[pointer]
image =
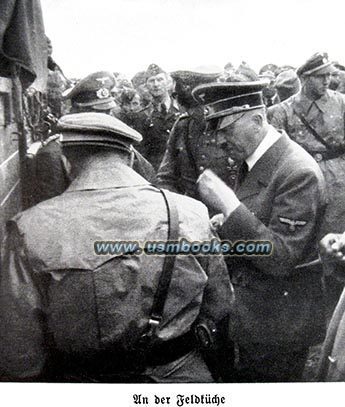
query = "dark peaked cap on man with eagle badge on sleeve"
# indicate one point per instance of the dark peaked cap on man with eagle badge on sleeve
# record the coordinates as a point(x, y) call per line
point(230, 98)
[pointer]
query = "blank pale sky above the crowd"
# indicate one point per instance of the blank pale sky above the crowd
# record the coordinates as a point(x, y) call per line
point(127, 35)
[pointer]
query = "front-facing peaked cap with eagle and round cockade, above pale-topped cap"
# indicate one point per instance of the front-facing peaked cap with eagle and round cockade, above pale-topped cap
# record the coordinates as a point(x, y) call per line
point(93, 91)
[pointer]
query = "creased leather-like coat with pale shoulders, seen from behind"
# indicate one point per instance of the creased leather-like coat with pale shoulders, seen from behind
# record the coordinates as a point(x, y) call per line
point(49, 252)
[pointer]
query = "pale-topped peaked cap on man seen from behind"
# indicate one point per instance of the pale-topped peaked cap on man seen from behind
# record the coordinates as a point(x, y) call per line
point(95, 128)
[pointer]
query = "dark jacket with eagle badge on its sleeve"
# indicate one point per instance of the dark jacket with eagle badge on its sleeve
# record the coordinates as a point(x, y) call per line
point(282, 201)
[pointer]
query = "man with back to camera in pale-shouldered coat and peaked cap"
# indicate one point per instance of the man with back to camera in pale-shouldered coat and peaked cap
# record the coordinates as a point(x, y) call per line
point(68, 305)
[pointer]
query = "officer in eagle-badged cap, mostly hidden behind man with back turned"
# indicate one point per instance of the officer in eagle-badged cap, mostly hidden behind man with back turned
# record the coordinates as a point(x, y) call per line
point(91, 94)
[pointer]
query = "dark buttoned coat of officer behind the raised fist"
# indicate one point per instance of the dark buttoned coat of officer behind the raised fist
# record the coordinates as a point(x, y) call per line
point(190, 150)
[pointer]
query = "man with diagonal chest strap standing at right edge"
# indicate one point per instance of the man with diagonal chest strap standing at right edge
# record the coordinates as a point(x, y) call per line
point(315, 119)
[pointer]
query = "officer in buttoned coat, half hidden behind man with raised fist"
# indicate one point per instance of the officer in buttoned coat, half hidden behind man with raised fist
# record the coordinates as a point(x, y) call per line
point(191, 148)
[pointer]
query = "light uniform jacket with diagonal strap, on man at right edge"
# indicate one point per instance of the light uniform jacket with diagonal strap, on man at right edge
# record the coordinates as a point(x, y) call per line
point(327, 117)
